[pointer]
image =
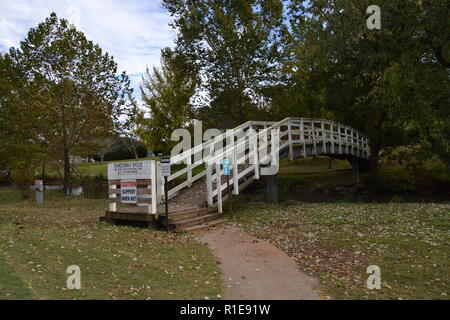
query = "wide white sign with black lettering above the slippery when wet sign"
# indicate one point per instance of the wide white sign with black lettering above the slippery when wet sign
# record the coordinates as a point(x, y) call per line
point(129, 170)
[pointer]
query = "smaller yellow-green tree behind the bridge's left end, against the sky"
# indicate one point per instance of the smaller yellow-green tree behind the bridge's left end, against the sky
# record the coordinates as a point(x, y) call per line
point(166, 95)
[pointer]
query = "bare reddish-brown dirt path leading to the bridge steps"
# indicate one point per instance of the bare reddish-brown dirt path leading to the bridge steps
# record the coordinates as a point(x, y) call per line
point(254, 269)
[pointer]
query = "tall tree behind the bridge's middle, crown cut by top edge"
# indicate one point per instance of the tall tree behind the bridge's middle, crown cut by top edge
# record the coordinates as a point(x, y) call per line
point(235, 48)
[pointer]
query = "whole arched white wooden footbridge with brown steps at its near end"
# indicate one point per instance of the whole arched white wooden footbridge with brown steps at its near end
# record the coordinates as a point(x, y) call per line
point(197, 192)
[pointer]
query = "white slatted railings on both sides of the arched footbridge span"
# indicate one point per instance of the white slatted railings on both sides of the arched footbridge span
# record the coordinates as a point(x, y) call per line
point(254, 148)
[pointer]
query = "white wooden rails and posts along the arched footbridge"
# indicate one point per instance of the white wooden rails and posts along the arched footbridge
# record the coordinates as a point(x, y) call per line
point(308, 134)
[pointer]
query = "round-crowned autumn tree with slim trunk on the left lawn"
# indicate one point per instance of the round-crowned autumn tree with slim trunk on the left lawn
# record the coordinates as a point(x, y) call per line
point(80, 95)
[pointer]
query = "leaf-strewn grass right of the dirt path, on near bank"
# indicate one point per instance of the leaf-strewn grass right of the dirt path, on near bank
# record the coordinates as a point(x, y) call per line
point(336, 242)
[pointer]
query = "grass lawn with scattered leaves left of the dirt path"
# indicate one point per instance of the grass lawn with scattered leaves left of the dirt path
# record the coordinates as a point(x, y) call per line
point(38, 243)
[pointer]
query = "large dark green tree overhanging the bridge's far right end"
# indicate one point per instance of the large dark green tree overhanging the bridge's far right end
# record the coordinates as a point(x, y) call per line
point(391, 83)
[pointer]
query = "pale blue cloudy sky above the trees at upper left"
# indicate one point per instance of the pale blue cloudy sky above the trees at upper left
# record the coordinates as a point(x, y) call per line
point(133, 31)
